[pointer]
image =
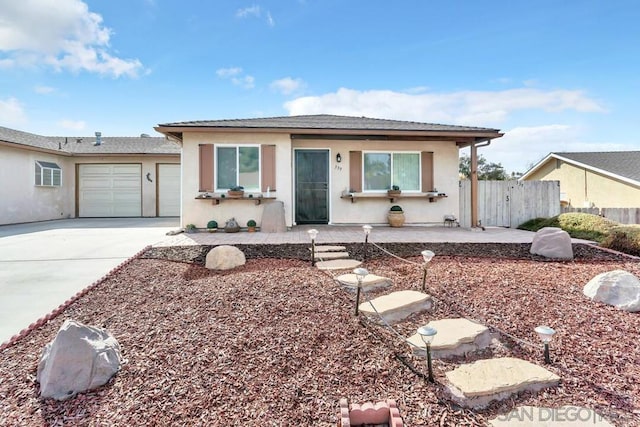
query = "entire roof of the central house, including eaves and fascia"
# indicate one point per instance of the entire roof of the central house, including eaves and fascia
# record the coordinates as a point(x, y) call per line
point(326, 124)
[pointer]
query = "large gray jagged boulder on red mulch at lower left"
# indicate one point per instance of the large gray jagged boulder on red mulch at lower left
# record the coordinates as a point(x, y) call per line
point(79, 358)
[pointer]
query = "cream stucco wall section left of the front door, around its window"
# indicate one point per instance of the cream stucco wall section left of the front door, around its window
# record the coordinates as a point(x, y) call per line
point(199, 212)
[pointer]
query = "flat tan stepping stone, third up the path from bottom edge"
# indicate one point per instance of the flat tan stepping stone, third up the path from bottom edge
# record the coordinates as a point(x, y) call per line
point(455, 337)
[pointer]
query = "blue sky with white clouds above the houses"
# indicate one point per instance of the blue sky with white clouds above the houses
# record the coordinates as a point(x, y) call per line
point(553, 75)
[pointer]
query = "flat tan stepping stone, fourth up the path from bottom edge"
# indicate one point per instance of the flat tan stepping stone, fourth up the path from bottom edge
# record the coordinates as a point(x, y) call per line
point(396, 306)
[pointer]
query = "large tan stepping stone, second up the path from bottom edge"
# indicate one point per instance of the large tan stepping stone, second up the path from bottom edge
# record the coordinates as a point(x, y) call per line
point(476, 384)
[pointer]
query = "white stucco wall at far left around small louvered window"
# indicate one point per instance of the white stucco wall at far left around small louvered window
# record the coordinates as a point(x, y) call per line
point(21, 200)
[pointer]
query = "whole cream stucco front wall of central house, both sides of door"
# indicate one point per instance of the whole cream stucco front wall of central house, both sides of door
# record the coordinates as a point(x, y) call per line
point(374, 211)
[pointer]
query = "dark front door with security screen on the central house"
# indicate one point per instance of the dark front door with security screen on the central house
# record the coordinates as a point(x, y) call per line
point(312, 186)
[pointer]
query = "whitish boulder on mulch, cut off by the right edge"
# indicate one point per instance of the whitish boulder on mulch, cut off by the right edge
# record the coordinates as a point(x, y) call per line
point(618, 288)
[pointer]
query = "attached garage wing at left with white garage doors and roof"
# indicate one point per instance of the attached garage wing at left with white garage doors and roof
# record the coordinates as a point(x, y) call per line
point(48, 178)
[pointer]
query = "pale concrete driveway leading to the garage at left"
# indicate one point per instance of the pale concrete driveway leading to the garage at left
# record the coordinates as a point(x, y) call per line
point(45, 263)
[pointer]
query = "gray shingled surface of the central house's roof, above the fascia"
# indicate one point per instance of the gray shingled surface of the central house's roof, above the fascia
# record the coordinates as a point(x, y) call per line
point(326, 121)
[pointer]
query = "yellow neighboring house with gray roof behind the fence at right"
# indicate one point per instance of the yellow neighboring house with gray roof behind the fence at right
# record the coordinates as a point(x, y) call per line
point(592, 179)
